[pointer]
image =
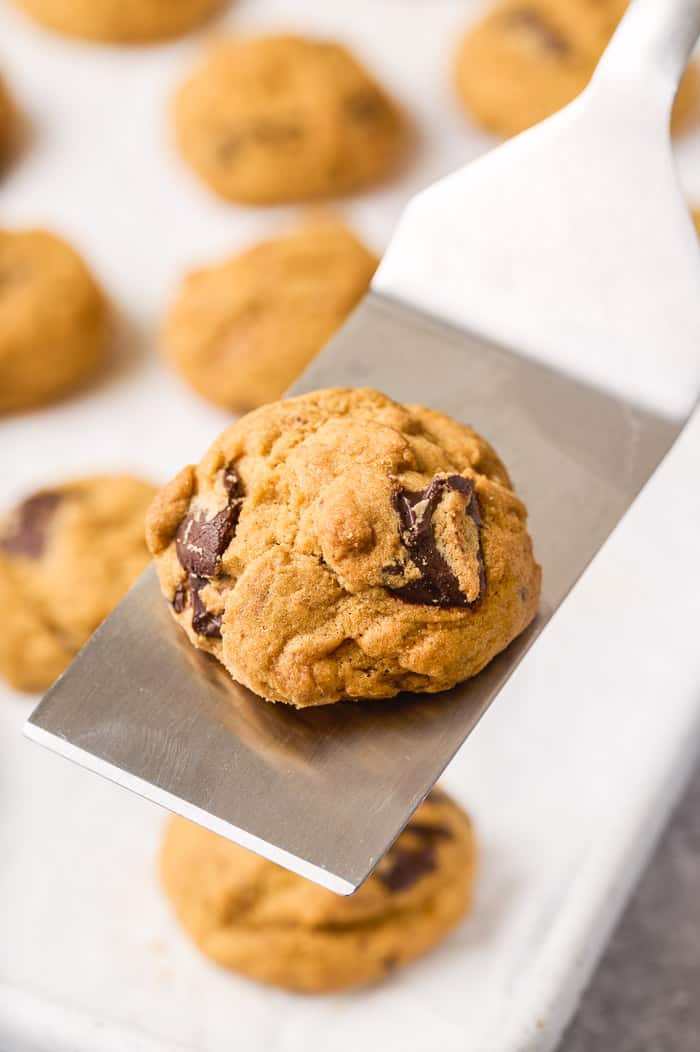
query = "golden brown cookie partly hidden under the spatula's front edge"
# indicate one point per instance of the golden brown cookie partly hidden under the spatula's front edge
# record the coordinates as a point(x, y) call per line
point(253, 918)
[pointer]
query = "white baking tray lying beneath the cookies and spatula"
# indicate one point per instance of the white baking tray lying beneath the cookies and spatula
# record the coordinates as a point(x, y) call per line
point(570, 777)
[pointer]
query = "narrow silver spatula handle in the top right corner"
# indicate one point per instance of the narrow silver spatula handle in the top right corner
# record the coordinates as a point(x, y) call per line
point(653, 45)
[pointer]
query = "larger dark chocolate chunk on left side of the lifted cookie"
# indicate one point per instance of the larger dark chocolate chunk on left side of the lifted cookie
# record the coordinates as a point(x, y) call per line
point(199, 541)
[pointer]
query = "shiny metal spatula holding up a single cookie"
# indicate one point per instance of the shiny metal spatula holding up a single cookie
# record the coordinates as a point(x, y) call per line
point(550, 296)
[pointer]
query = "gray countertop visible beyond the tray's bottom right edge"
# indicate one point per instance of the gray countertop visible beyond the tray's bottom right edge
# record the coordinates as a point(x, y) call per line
point(646, 996)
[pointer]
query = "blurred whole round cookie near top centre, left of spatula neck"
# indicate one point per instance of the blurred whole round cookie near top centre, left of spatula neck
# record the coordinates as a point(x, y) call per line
point(285, 118)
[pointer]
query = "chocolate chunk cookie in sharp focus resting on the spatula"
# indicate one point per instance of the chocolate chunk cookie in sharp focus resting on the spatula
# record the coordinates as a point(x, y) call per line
point(339, 545)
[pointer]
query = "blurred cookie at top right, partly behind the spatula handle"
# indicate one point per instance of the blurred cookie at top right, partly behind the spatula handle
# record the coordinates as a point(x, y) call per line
point(528, 59)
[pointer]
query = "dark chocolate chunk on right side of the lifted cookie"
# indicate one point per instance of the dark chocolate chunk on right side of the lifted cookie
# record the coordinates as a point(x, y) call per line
point(437, 585)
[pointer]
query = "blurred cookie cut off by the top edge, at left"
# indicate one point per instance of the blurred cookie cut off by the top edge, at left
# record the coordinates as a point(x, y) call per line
point(122, 22)
